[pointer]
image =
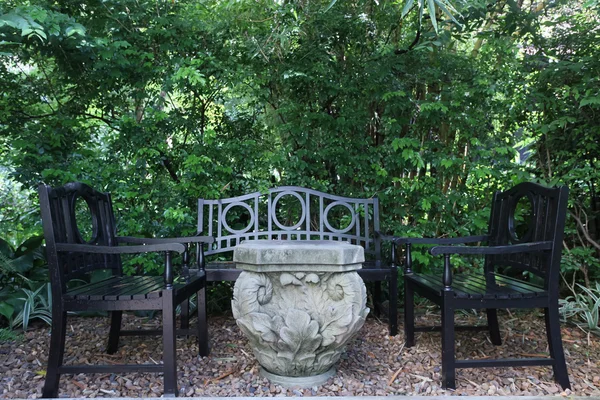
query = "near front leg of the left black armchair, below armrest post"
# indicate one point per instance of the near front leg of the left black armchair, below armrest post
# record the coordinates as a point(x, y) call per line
point(169, 344)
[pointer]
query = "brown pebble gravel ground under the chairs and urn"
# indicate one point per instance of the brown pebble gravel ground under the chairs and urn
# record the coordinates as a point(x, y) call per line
point(374, 364)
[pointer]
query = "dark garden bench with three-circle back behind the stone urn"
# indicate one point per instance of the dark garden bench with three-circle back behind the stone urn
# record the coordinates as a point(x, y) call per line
point(295, 213)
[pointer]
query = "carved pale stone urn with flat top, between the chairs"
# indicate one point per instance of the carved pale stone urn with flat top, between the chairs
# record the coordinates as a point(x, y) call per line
point(299, 303)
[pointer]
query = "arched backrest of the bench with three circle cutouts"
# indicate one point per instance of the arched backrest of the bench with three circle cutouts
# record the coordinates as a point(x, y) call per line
point(290, 213)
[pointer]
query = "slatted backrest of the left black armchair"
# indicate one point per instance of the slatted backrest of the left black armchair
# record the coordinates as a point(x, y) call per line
point(59, 218)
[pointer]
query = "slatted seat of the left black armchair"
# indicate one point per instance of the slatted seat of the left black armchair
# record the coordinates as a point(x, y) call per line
point(123, 288)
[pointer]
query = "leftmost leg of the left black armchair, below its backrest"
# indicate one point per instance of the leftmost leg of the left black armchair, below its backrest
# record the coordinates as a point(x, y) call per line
point(57, 351)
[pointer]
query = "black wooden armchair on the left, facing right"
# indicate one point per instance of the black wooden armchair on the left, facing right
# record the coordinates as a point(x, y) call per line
point(71, 257)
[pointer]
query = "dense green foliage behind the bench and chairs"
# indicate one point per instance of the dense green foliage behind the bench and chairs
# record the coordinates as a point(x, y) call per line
point(163, 103)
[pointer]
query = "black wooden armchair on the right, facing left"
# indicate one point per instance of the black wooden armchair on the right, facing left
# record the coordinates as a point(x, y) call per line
point(530, 244)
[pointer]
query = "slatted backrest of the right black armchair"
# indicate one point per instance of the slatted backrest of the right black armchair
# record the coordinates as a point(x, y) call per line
point(544, 221)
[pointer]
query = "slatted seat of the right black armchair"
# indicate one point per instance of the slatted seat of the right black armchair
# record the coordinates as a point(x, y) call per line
point(474, 287)
